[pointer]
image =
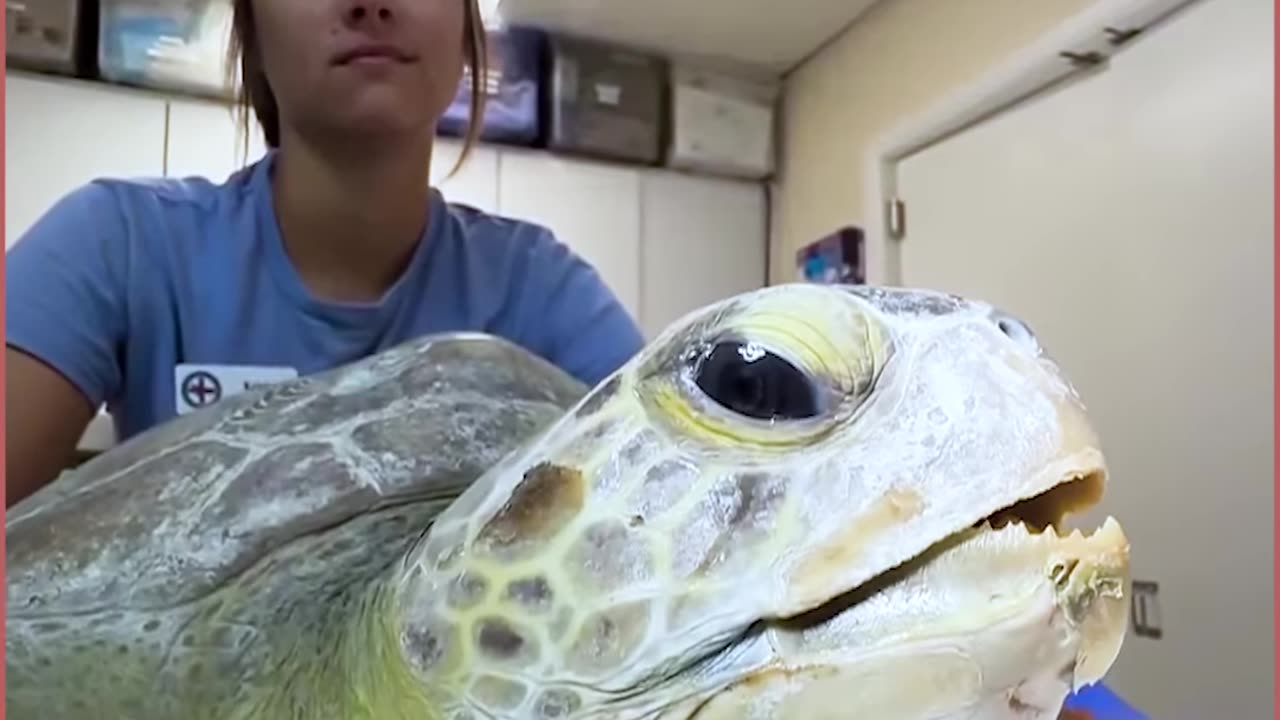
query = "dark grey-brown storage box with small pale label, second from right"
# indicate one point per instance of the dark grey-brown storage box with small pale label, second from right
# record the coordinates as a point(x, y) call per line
point(606, 102)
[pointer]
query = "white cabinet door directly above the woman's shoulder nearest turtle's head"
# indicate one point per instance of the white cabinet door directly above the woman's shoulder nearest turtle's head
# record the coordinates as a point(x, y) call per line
point(592, 208)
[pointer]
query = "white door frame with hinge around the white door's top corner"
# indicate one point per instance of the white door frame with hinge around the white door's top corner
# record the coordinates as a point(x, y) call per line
point(1039, 69)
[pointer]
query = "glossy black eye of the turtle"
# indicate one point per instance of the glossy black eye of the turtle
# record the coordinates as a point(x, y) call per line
point(757, 384)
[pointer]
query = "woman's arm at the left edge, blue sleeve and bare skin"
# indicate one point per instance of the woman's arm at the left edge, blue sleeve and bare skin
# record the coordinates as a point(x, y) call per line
point(66, 289)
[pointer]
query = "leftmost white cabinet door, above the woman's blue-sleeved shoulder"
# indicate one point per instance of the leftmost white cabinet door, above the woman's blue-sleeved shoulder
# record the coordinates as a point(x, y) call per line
point(62, 134)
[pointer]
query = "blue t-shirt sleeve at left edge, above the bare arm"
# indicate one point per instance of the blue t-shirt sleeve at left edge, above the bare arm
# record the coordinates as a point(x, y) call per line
point(66, 291)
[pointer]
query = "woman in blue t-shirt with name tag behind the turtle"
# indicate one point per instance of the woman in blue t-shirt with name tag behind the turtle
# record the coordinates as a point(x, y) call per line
point(332, 248)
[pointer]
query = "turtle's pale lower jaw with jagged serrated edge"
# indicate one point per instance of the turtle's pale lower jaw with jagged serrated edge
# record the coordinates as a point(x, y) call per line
point(990, 623)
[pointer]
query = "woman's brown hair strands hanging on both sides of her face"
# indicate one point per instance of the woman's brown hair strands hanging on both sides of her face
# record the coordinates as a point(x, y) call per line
point(255, 98)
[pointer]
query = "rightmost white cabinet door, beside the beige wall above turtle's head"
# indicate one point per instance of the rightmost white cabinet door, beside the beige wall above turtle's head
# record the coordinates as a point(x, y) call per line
point(705, 240)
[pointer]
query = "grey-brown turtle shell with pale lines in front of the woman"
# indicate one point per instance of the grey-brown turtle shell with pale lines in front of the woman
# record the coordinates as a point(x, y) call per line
point(331, 476)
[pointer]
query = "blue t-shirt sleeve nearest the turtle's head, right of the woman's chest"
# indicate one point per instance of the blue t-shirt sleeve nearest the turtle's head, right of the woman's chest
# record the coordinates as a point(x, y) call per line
point(574, 318)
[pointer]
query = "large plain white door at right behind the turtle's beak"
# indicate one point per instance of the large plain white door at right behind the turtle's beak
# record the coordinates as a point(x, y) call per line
point(1130, 220)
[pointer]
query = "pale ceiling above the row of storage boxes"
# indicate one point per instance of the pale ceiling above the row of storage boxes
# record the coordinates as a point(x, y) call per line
point(770, 35)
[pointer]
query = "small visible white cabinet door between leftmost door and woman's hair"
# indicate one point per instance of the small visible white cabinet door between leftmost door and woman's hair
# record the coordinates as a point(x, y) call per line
point(205, 140)
